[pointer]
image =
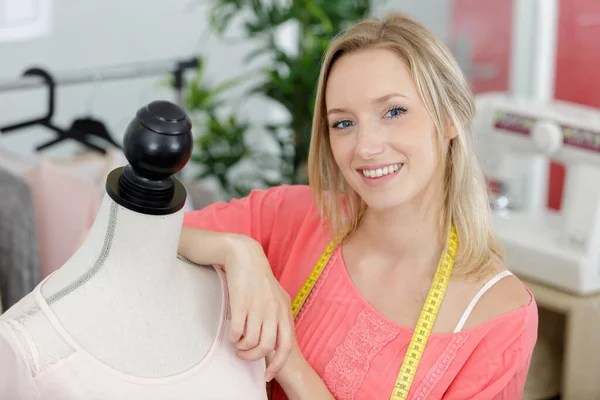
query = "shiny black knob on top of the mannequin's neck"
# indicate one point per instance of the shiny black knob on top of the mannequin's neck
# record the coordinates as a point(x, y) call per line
point(157, 144)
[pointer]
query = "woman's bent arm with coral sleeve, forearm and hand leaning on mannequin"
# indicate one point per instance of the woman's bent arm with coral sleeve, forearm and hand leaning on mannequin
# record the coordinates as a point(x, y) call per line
point(237, 236)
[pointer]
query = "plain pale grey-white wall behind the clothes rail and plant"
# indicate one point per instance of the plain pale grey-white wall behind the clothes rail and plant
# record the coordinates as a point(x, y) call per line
point(95, 33)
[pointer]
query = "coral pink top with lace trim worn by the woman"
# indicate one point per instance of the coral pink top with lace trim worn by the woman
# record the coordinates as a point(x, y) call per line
point(354, 349)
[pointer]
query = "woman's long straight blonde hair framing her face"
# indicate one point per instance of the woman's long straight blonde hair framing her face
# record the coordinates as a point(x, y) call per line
point(449, 101)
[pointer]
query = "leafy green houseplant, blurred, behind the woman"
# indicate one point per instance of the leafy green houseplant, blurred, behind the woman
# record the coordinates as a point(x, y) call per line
point(222, 144)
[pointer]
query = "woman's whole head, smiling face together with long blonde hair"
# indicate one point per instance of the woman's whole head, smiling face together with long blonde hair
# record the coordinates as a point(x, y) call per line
point(369, 114)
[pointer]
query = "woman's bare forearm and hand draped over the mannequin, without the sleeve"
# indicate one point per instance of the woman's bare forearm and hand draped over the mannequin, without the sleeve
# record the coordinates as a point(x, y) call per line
point(261, 319)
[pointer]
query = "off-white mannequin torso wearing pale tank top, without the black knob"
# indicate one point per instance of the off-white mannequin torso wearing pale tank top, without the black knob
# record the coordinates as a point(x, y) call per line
point(125, 315)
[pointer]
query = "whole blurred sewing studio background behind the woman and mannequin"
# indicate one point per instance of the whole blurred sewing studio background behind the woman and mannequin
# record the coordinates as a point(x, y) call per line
point(74, 73)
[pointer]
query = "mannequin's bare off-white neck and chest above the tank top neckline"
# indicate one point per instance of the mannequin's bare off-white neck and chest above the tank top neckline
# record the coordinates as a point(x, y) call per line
point(142, 311)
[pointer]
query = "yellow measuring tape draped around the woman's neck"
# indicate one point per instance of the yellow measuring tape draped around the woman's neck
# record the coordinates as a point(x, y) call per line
point(426, 318)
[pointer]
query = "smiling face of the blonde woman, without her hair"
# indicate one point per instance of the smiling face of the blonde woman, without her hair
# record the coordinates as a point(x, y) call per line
point(381, 134)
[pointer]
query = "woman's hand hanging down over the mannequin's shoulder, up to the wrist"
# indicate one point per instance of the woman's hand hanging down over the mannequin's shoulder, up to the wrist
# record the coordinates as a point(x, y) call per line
point(261, 320)
